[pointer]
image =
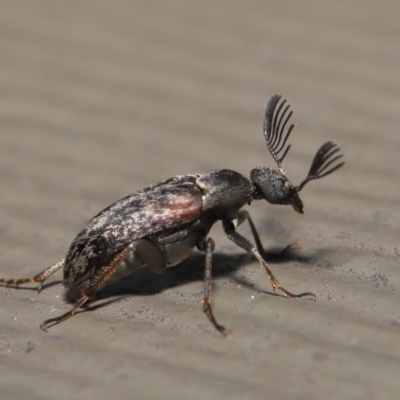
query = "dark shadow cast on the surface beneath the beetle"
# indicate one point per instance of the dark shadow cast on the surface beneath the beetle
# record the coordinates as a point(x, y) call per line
point(144, 282)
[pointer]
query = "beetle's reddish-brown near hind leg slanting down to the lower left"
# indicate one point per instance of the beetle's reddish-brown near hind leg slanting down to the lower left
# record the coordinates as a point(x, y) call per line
point(89, 294)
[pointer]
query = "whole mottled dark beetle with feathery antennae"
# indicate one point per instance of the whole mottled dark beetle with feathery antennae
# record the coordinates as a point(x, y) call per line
point(159, 226)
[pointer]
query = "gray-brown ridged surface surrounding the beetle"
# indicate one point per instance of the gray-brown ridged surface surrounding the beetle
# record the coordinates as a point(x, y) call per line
point(99, 99)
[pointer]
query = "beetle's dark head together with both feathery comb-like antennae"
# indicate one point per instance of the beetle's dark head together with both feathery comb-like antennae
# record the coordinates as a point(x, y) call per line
point(272, 184)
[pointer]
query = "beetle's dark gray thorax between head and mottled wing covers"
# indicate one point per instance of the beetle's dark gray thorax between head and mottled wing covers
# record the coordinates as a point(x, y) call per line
point(225, 193)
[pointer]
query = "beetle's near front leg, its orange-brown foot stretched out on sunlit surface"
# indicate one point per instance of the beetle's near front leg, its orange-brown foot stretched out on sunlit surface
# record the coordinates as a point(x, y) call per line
point(241, 241)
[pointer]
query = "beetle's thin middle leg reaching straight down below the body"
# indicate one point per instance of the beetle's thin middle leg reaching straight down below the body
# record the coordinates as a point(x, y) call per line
point(208, 247)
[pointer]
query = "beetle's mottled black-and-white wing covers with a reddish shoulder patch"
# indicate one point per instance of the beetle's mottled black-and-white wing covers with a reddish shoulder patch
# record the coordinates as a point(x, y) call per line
point(169, 205)
